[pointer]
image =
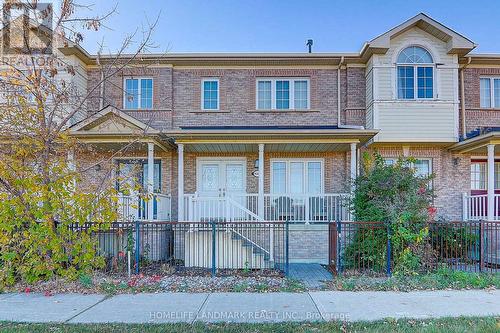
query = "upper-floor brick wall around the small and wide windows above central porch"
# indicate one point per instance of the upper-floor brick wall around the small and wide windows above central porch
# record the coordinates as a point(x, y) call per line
point(237, 98)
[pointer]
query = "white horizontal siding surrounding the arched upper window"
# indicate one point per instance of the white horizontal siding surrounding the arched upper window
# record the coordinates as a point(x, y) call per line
point(422, 120)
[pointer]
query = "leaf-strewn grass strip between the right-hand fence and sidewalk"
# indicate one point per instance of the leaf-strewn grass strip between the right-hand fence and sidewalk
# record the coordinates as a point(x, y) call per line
point(441, 279)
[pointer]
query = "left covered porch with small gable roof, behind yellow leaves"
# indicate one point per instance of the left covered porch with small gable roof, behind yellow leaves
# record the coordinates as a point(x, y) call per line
point(133, 157)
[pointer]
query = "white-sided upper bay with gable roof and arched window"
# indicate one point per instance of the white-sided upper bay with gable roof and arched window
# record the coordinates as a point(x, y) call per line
point(412, 82)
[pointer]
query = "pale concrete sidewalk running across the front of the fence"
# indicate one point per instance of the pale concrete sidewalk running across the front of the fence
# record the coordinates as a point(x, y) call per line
point(246, 307)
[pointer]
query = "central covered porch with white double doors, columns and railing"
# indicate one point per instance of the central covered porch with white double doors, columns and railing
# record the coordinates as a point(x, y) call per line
point(294, 174)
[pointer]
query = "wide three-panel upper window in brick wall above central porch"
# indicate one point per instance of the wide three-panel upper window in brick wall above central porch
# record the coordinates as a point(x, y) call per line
point(282, 94)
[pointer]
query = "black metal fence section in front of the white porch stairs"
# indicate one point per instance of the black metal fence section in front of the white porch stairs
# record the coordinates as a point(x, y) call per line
point(213, 247)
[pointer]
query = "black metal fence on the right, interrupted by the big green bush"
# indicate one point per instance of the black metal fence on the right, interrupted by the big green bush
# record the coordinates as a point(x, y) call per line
point(366, 248)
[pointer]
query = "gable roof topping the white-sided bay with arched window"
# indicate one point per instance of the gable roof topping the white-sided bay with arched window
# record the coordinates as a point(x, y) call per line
point(456, 43)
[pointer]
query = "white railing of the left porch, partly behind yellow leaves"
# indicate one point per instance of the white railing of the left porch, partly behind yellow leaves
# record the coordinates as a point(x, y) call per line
point(134, 208)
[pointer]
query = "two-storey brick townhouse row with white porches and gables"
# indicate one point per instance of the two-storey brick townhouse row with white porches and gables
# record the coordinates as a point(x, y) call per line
point(278, 136)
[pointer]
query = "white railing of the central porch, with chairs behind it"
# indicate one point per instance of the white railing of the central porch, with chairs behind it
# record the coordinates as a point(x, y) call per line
point(305, 208)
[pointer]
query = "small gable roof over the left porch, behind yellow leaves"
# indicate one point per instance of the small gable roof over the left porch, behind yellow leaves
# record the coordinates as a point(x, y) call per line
point(111, 121)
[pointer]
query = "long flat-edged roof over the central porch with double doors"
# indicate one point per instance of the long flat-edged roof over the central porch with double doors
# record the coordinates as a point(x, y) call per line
point(227, 139)
